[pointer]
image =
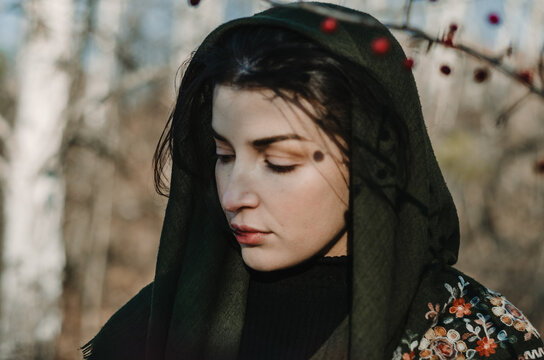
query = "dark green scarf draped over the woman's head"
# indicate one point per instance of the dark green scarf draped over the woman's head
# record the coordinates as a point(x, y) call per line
point(404, 229)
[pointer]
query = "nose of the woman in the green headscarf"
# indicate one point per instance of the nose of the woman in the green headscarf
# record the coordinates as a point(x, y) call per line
point(239, 192)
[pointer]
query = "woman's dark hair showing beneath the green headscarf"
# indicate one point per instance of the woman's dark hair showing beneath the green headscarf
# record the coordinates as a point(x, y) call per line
point(266, 57)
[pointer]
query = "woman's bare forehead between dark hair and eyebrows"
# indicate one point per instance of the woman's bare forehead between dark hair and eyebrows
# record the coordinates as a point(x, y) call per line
point(258, 112)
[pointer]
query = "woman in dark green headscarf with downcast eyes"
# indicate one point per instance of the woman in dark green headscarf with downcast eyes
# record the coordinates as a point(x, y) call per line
point(307, 215)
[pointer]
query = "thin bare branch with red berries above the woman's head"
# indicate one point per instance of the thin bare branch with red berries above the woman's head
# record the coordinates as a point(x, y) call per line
point(494, 62)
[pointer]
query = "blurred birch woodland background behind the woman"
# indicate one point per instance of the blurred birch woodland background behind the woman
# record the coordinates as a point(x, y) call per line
point(86, 87)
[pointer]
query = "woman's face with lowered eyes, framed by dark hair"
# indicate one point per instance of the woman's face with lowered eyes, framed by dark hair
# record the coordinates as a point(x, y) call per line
point(280, 179)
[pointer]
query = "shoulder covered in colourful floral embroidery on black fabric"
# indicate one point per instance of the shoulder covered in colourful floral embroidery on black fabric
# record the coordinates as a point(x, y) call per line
point(475, 323)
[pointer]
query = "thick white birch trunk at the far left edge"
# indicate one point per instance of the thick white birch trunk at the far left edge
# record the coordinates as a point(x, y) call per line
point(33, 254)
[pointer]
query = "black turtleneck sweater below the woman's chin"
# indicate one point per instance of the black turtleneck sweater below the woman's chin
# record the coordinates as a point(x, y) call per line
point(290, 313)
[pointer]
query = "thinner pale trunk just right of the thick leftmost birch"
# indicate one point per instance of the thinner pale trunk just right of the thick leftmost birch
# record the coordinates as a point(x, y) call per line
point(100, 122)
